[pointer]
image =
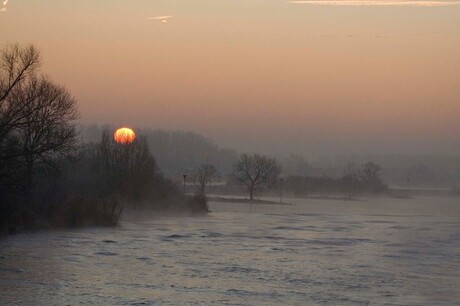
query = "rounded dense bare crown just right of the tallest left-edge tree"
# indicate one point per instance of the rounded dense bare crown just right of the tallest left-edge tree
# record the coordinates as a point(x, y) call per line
point(47, 131)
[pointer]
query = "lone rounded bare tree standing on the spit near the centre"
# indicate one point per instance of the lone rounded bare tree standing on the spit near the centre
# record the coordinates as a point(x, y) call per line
point(254, 171)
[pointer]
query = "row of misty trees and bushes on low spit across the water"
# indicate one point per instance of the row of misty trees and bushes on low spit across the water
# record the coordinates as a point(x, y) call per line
point(263, 174)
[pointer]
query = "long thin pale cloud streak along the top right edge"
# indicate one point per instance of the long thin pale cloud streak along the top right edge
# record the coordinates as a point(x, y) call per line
point(421, 3)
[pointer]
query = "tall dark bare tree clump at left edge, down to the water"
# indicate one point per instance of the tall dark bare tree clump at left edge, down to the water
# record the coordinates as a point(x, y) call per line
point(37, 129)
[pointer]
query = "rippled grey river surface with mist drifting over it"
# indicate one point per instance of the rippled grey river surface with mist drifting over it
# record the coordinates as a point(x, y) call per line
point(315, 252)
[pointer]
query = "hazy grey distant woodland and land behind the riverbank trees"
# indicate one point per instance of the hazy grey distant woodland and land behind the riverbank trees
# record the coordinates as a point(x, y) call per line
point(178, 152)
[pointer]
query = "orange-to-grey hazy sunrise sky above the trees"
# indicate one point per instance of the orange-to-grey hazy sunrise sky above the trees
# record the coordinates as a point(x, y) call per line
point(273, 76)
